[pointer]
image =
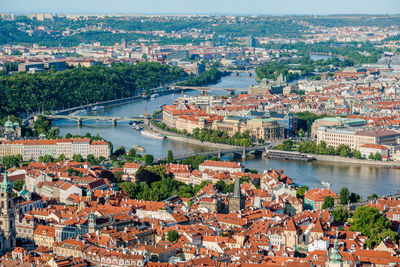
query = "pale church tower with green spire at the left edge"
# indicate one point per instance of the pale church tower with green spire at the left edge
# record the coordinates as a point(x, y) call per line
point(7, 216)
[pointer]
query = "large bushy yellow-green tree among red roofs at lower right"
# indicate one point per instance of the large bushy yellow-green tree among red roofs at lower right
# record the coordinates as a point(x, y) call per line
point(370, 222)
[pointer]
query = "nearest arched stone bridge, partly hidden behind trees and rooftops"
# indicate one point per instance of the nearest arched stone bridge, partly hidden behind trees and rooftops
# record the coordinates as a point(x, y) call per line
point(238, 151)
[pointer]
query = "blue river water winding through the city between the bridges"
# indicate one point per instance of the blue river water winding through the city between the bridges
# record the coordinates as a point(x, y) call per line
point(363, 180)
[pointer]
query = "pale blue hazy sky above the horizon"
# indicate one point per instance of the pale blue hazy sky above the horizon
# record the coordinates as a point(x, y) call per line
point(275, 7)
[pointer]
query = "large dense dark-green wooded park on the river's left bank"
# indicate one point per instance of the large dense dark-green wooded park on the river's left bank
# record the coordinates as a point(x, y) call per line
point(25, 93)
